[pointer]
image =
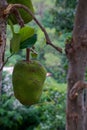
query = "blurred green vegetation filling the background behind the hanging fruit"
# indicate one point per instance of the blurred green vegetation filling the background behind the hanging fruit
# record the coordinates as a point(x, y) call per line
point(49, 114)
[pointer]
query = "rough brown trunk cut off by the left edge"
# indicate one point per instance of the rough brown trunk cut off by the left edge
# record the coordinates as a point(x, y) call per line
point(3, 5)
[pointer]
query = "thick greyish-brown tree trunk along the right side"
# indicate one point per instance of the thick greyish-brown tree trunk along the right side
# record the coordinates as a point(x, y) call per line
point(76, 52)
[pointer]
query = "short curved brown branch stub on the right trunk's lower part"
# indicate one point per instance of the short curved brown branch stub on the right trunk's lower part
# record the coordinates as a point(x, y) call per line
point(76, 89)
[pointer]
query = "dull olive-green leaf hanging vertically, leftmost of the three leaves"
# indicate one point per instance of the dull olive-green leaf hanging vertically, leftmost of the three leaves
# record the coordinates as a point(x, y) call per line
point(15, 43)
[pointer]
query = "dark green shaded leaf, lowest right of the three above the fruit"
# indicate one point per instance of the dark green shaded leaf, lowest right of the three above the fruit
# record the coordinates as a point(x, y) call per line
point(28, 43)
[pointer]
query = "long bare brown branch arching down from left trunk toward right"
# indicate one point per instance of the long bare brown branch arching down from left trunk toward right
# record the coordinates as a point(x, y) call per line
point(48, 41)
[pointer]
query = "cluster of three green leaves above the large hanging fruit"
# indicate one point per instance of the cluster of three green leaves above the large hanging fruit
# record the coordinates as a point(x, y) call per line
point(25, 38)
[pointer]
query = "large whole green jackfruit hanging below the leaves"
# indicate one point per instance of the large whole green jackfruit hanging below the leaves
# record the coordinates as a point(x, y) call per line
point(28, 79)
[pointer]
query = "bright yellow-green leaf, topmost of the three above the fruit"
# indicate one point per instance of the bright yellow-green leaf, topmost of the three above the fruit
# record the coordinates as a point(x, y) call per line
point(26, 32)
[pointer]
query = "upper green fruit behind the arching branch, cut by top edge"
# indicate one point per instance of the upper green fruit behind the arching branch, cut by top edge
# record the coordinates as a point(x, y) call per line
point(25, 16)
